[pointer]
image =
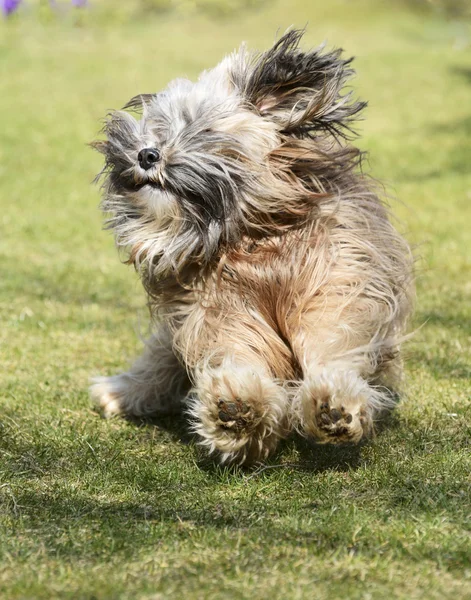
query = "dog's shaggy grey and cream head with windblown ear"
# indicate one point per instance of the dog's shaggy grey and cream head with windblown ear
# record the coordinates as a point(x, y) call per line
point(241, 152)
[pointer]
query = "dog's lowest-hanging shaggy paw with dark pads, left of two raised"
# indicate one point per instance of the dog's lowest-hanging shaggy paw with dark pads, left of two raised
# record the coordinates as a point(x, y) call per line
point(239, 411)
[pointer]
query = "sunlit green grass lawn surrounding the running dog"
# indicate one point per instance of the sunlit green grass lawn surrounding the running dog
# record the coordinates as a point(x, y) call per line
point(96, 509)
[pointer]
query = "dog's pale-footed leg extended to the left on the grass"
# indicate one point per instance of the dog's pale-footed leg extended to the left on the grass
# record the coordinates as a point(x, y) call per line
point(155, 384)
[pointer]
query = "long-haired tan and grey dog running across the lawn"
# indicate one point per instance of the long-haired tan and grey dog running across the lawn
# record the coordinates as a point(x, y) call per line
point(278, 288)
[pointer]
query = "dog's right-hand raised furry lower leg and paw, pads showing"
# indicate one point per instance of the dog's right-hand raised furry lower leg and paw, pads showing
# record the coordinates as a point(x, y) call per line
point(348, 380)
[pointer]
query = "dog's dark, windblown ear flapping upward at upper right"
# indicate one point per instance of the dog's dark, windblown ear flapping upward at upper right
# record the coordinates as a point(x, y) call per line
point(300, 90)
